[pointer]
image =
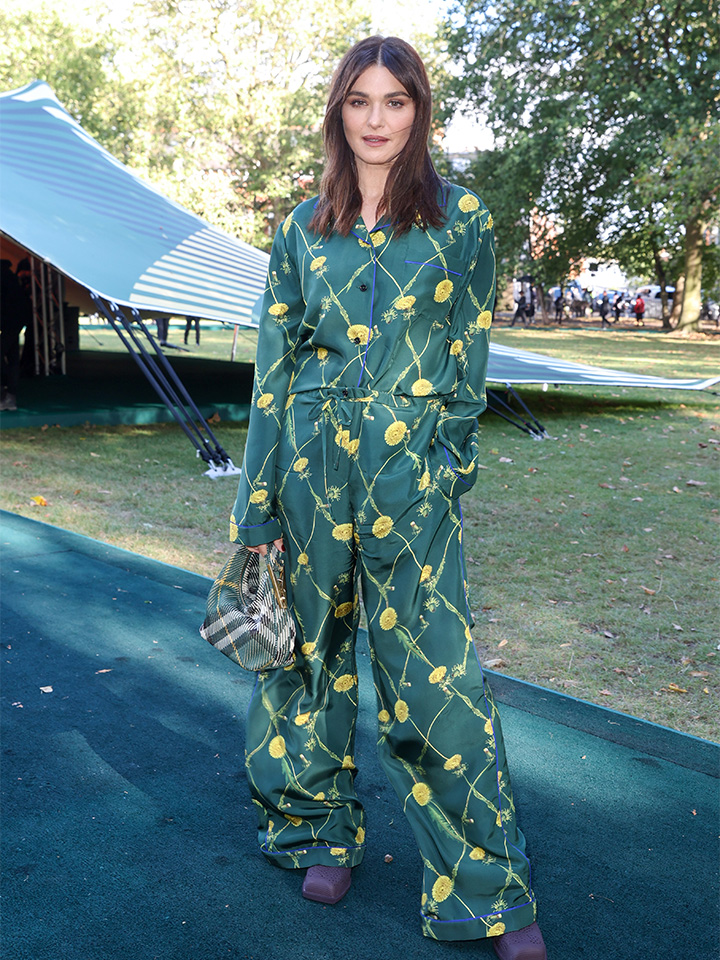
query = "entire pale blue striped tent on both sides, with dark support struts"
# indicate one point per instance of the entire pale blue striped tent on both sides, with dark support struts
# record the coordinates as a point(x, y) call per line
point(99, 230)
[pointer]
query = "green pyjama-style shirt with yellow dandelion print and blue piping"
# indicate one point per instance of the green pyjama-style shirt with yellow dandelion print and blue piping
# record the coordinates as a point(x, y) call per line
point(385, 314)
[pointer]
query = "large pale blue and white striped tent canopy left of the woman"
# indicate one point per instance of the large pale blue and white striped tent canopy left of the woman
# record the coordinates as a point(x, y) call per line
point(65, 199)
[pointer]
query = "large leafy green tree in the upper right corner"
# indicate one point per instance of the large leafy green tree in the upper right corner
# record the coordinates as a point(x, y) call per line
point(587, 98)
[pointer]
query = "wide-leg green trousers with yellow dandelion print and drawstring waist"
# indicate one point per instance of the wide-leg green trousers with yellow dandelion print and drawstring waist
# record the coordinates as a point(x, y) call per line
point(361, 511)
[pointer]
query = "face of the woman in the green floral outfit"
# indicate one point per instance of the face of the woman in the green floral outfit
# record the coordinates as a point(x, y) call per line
point(377, 115)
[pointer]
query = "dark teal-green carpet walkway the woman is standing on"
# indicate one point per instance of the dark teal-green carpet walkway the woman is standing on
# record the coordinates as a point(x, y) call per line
point(128, 833)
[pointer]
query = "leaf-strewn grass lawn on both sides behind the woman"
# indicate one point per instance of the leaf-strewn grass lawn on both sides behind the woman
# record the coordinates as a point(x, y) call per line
point(591, 556)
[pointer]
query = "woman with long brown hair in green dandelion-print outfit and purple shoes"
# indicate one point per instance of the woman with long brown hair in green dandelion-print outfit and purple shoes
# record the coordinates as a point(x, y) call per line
point(369, 380)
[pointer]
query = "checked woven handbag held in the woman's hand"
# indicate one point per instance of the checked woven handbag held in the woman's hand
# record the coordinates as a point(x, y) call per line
point(247, 616)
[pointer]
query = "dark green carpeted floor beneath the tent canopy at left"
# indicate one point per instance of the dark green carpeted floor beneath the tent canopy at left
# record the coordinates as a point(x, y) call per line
point(109, 388)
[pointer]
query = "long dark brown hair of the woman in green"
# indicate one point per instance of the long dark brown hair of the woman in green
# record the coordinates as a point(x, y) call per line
point(413, 184)
